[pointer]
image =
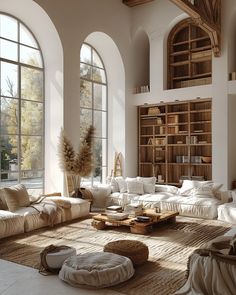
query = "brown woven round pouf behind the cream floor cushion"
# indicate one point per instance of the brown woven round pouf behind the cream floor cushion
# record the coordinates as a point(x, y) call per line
point(135, 250)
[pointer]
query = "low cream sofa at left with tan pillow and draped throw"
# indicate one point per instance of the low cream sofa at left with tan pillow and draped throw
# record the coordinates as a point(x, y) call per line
point(21, 213)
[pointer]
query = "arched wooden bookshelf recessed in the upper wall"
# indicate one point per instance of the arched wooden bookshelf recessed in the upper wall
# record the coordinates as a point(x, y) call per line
point(189, 56)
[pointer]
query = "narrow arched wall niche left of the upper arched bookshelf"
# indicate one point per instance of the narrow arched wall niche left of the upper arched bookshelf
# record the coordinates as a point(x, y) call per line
point(141, 61)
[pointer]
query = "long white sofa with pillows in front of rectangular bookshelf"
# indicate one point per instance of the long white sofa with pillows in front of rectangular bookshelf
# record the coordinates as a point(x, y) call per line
point(195, 198)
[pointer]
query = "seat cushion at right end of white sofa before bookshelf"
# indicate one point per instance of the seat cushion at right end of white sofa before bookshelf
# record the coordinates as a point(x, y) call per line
point(192, 206)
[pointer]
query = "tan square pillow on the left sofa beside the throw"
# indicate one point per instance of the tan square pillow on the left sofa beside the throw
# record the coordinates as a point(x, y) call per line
point(16, 196)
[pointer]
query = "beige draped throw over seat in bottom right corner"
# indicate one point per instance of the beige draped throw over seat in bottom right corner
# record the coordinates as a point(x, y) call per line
point(212, 269)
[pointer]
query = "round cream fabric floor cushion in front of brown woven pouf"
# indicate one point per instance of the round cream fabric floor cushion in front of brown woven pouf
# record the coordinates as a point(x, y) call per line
point(96, 270)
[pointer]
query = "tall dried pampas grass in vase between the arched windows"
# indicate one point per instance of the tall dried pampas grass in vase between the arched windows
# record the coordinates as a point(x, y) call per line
point(76, 164)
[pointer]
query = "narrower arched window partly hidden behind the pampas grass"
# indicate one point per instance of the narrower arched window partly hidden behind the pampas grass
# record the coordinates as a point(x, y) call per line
point(93, 107)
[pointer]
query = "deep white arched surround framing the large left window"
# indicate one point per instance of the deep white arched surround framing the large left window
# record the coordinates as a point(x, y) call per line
point(44, 30)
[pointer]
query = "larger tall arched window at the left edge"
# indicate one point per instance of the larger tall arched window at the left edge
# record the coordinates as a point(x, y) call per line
point(21, 106)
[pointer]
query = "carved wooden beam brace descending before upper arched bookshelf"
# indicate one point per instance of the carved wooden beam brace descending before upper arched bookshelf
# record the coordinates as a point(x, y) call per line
point(206, 14)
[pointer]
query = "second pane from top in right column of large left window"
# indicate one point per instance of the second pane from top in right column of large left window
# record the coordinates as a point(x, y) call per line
point(30, 56)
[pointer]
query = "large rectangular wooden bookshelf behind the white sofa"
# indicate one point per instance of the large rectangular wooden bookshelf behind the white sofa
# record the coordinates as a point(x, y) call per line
point(173, 142)
